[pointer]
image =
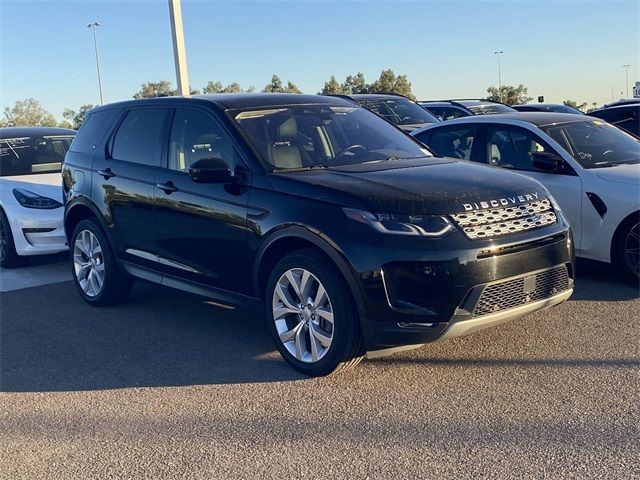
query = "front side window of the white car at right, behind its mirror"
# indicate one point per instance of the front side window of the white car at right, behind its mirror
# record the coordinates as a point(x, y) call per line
point(513, 148)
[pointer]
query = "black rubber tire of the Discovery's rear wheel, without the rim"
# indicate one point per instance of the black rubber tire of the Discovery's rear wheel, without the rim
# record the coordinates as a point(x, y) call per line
point(116, 284)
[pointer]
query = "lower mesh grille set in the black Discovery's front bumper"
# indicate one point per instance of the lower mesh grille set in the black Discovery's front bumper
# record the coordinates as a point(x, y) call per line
point(522, 290)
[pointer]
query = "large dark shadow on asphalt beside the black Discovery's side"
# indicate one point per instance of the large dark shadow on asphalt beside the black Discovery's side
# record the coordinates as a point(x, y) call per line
point(160, 337)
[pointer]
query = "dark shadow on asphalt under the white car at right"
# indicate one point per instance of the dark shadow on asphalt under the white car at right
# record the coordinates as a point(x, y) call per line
point(597, 281)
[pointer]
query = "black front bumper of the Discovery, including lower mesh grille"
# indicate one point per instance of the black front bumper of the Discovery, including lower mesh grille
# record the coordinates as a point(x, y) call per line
point(421, 295)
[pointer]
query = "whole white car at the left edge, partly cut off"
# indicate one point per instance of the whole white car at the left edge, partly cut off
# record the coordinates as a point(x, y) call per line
point(31, 213)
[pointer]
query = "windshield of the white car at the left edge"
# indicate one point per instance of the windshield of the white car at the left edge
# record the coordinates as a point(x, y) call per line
point(33, 155)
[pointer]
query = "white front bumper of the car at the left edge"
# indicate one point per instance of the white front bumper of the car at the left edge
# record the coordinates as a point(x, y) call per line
point(35, 231)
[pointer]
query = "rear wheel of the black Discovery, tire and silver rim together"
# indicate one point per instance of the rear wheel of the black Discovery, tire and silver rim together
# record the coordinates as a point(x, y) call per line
point(96, 273)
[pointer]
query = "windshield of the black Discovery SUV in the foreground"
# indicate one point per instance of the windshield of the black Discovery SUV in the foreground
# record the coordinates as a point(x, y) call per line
point(309, 136)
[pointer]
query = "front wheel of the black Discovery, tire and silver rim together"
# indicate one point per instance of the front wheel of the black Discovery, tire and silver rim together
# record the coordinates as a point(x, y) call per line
point(312, 316)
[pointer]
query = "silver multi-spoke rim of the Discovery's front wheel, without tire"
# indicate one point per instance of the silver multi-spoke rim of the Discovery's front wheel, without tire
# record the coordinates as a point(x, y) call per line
point(303, 315)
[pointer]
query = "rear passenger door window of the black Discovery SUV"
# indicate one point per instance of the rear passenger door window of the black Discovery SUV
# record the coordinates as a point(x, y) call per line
point(139, 137)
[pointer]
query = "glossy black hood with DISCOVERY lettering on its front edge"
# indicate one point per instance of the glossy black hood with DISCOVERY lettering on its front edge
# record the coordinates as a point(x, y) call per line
point(433, 186)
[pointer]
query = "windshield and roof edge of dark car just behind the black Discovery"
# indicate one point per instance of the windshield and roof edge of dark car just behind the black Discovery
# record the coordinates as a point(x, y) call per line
point(395, 109)
